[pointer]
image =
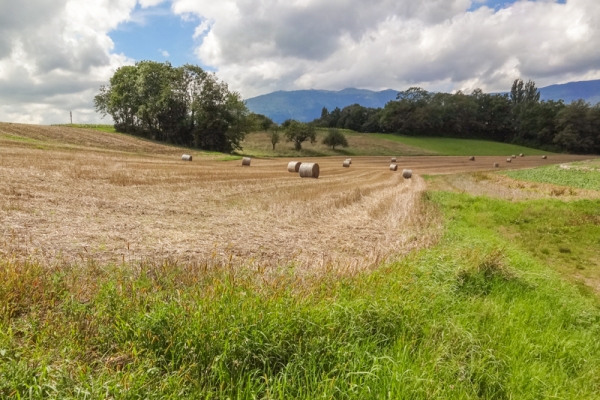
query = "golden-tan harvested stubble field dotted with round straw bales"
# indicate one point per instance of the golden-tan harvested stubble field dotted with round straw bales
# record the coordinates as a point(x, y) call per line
point(60, 204)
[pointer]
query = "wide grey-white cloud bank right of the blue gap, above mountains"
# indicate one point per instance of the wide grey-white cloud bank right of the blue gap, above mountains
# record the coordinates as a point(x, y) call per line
point(269, 45)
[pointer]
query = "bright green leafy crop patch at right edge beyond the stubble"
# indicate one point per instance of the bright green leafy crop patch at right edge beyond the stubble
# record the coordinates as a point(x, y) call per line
point(582, 175)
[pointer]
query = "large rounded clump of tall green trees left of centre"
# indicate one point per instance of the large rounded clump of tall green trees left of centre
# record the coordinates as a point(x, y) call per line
point(183, 105)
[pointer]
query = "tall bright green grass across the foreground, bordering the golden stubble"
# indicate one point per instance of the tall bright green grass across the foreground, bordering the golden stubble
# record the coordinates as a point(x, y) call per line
point(477, 316)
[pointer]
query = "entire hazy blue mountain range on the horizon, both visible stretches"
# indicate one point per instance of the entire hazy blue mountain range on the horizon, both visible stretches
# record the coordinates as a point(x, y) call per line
point(306, 105)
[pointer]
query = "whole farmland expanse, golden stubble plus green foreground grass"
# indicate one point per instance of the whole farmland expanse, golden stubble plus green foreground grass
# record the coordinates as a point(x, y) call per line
point(126, 272)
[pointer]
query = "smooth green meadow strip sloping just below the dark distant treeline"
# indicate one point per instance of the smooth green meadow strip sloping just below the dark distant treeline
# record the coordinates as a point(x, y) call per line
point(459, 147)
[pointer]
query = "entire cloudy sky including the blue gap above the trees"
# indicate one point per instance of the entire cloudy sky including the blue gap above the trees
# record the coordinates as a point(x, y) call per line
point(55, 54)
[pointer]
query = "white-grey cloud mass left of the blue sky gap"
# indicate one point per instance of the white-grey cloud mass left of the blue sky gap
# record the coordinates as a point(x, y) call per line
point(54, 55)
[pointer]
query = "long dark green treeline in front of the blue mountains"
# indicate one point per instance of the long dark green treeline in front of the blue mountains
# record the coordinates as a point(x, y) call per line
point(518, 117)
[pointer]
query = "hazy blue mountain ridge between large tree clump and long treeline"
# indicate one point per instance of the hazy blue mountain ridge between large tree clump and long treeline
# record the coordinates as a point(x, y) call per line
point(306, 105)
